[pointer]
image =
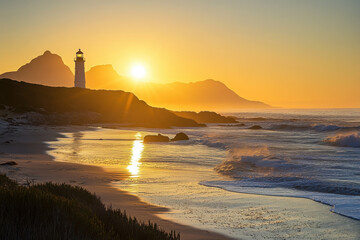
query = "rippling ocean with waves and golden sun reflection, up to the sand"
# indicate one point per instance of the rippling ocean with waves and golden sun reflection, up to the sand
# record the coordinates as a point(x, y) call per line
point(243, 182)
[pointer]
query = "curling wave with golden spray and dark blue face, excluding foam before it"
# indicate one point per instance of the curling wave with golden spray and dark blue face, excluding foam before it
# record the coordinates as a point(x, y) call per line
point(258, 167)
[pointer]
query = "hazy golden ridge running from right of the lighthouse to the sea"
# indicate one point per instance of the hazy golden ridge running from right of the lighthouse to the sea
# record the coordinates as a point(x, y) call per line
point(203, 95)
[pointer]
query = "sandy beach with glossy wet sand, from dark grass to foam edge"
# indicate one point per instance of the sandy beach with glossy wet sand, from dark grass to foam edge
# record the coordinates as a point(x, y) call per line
point(196, 211)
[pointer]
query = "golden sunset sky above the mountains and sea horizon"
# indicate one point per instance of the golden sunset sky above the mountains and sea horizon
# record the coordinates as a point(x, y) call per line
point(287, 53)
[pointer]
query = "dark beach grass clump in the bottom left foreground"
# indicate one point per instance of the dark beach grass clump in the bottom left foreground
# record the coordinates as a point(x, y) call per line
point(62, 211)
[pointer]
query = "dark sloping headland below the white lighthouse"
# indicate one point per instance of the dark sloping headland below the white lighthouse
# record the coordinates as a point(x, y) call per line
point(62, 105)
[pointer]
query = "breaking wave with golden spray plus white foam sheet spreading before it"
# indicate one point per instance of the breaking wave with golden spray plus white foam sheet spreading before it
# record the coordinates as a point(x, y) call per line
point(259, 171)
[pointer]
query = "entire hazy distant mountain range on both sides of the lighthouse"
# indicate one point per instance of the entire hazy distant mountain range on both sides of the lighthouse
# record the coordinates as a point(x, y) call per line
point(49, 69)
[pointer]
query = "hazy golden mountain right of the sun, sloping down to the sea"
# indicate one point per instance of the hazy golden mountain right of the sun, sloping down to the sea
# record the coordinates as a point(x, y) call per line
point(203, 95)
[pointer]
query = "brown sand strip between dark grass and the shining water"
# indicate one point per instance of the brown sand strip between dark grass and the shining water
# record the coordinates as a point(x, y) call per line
point(26, 145)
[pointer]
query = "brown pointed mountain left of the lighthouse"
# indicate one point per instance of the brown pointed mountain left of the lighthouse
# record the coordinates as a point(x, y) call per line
point(47, 69)
